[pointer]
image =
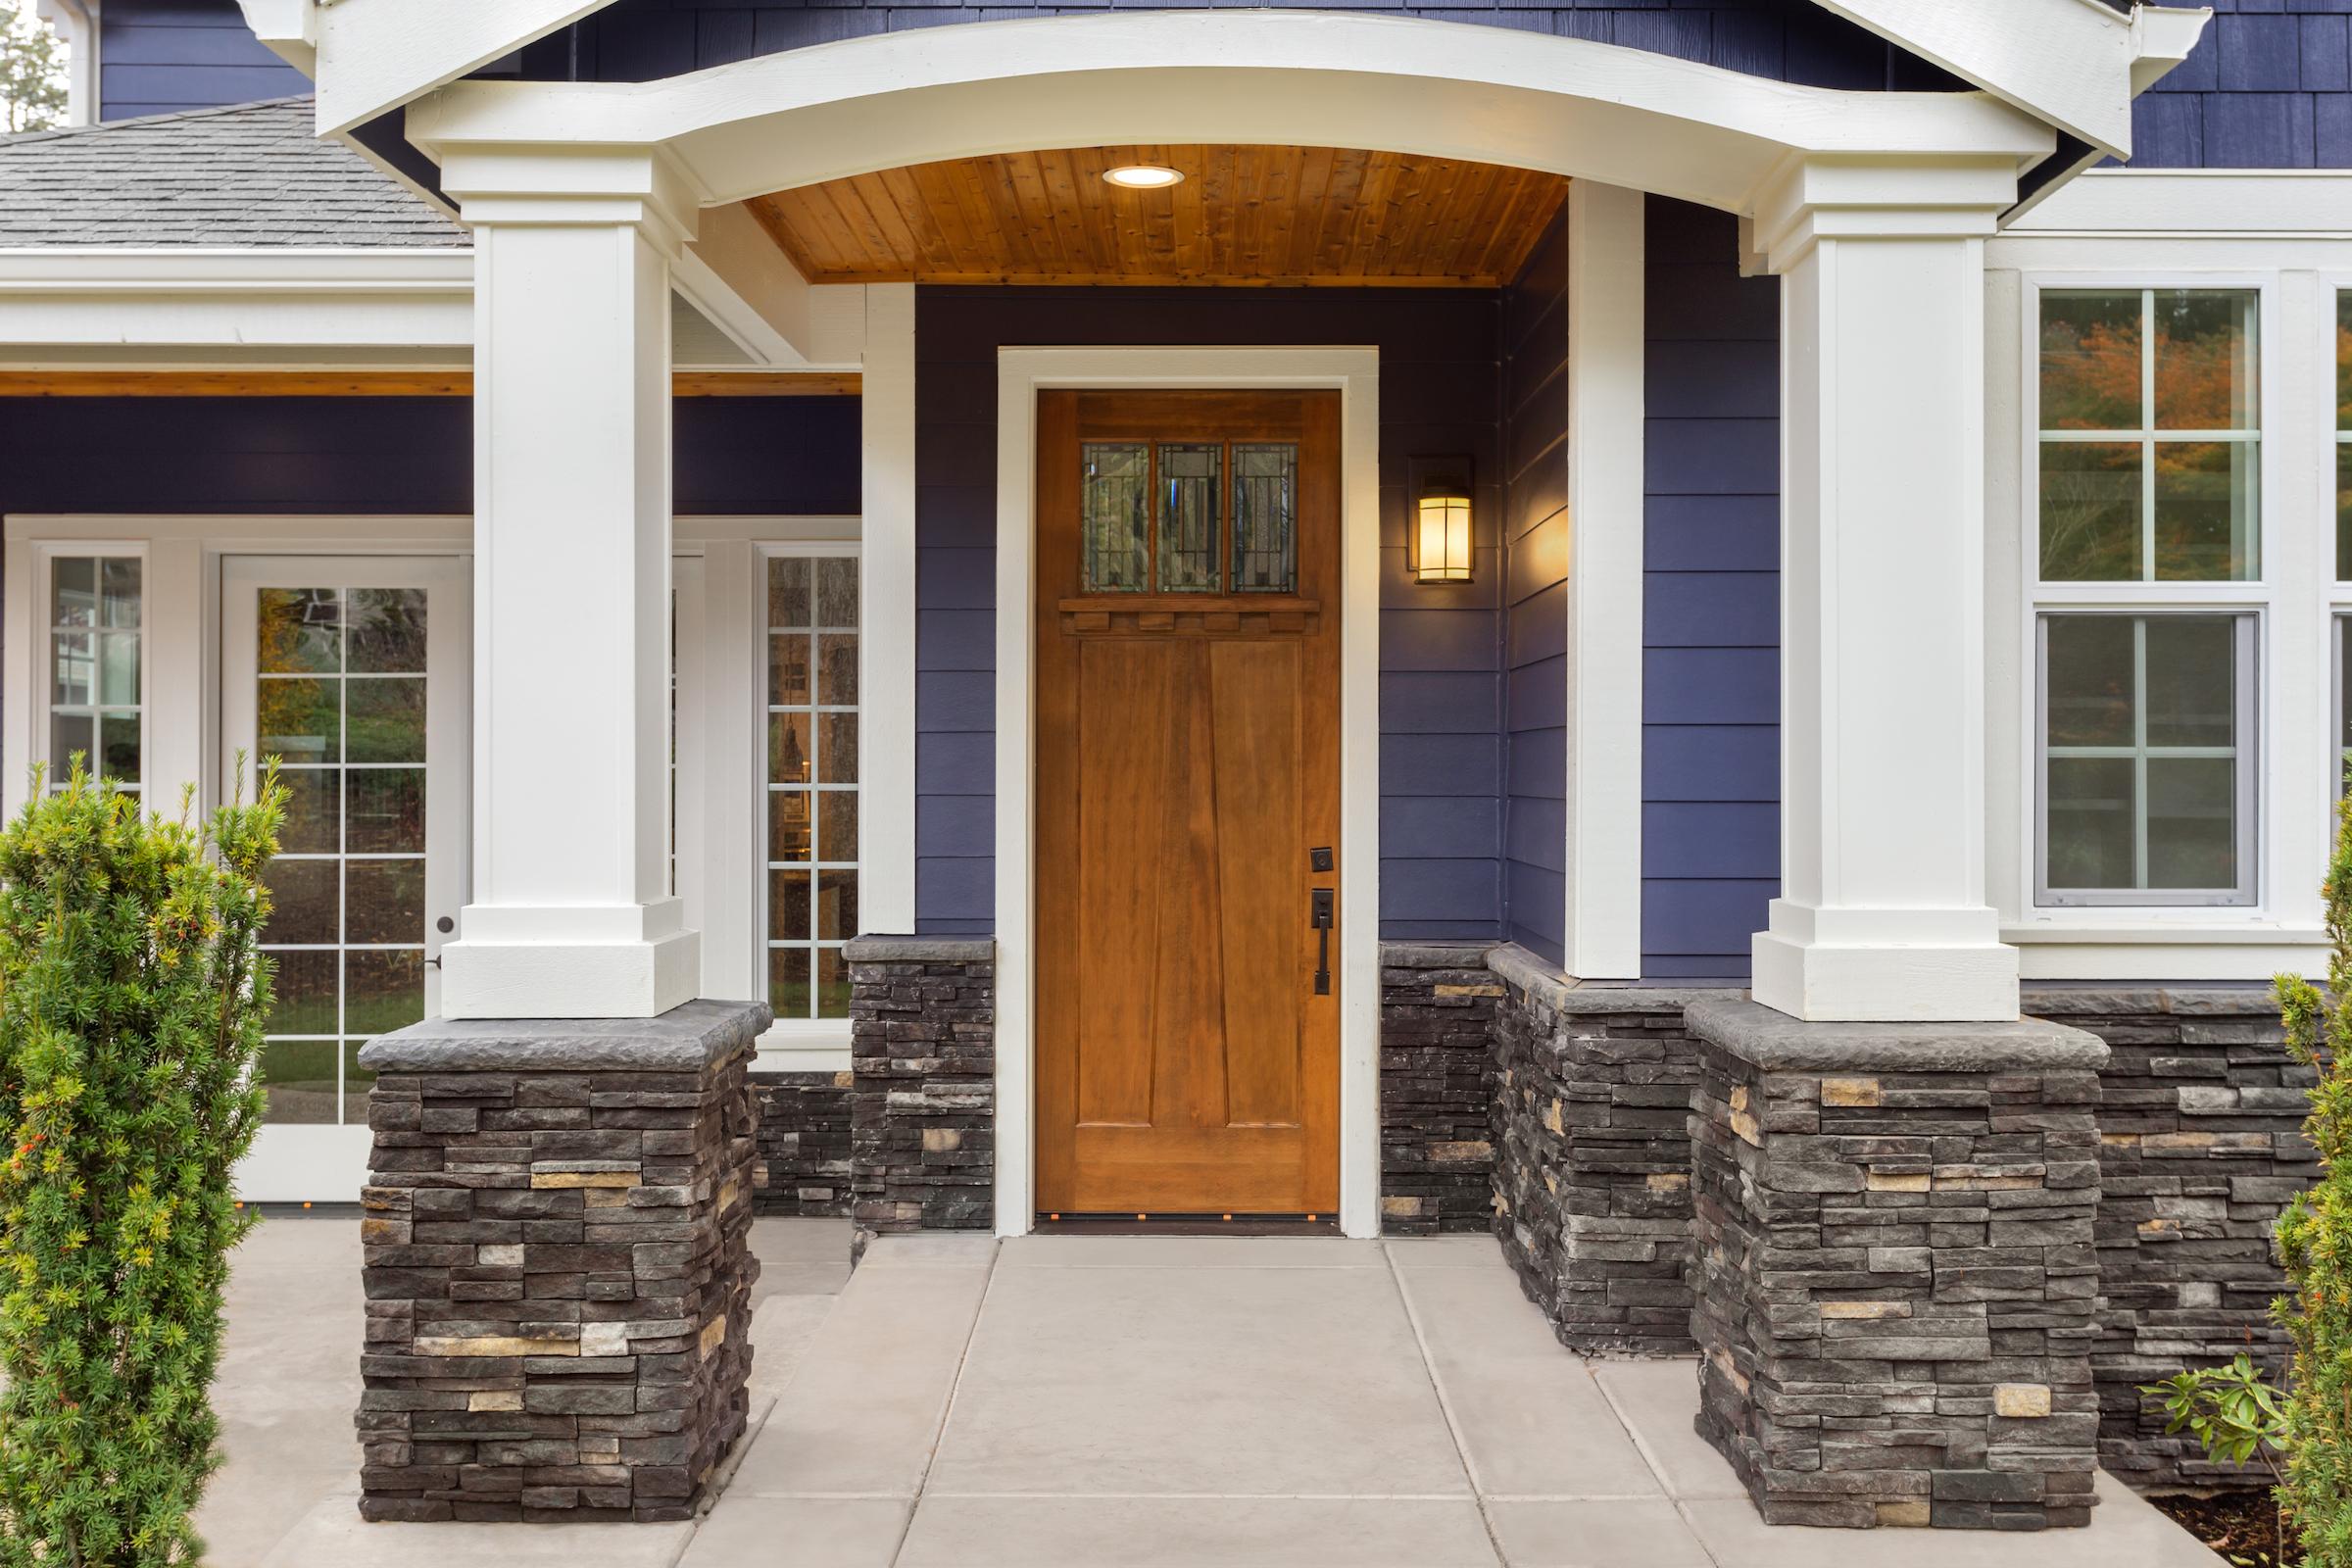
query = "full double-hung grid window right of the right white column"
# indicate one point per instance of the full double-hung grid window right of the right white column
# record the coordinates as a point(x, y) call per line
point(2149, 509)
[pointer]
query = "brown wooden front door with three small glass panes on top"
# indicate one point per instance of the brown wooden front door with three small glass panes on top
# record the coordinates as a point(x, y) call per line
point(1187, 803)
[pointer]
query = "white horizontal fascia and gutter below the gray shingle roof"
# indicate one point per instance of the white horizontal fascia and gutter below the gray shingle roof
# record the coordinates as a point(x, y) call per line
point(236, 300)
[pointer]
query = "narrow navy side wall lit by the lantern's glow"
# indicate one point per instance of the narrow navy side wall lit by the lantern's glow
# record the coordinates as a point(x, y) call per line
point(1535, 596)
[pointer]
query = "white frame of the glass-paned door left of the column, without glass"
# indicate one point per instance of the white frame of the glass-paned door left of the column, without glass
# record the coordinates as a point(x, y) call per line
point(328, 1162)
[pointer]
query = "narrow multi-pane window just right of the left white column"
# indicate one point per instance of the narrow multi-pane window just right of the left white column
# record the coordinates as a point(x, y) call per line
point(813, 779)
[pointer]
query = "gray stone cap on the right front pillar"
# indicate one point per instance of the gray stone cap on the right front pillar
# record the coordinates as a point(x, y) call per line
point(1775, 1043)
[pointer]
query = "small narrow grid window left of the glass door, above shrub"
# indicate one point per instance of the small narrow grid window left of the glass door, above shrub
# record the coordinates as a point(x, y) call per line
point(95, 655)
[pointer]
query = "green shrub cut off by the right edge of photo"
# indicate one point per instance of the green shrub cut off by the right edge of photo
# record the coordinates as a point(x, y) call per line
point(2316, 1240)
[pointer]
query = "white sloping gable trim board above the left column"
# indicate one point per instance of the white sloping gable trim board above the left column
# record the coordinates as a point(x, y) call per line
point(375, 55)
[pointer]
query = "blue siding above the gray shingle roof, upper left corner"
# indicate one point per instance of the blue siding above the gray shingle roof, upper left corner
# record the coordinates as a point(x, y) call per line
point(163, 55)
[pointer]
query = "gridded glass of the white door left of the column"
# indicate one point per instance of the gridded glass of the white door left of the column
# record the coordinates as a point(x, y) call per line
point(342, 706)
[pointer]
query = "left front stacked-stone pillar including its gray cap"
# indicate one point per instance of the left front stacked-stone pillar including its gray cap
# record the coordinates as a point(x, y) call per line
point(559, 1266)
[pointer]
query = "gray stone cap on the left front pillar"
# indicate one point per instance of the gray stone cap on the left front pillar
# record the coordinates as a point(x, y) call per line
point(683, 1040)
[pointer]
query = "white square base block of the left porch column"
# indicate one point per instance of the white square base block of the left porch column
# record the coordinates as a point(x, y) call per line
point(629, 979)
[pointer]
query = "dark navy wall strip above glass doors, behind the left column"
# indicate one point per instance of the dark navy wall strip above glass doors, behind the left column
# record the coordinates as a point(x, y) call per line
point(385, 455)
